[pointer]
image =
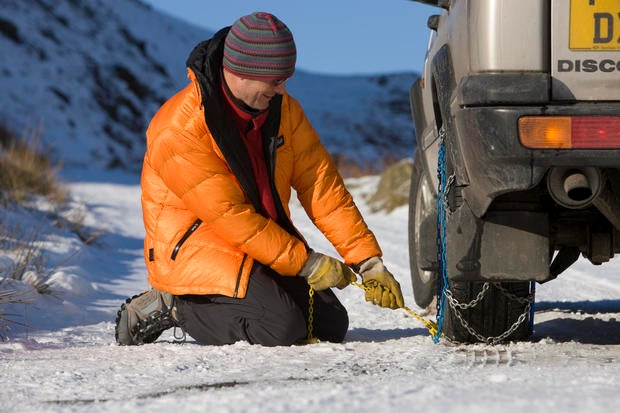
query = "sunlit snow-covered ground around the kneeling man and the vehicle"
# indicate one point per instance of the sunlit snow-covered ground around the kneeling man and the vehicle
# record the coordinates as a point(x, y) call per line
point(68, 360)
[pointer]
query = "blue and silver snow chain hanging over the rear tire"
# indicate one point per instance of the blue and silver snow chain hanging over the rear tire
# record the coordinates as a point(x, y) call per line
point(444, 295)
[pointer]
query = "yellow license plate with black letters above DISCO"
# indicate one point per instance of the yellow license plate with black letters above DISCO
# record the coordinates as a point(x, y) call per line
point(595, 25)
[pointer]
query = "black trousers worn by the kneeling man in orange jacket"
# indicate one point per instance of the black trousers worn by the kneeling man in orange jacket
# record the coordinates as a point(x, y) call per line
point(273, 313)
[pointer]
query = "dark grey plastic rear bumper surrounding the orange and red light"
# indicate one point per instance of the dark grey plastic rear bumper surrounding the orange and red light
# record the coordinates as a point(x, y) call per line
point(493, 160)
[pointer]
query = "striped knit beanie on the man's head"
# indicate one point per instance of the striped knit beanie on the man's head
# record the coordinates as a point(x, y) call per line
point(261, 47)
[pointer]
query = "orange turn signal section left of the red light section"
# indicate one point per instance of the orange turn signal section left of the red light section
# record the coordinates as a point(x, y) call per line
point(545, 132)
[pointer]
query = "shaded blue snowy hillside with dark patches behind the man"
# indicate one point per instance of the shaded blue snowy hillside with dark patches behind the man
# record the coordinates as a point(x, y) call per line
point(90, 74)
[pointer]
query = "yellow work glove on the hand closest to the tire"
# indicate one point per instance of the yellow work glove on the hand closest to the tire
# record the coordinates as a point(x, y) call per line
point(381, 287)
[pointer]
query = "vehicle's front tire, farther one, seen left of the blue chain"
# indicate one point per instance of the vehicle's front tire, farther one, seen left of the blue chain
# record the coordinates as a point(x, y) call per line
point(422, 207)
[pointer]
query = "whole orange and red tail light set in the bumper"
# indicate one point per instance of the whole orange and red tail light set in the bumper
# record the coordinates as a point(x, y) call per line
point(570, 132)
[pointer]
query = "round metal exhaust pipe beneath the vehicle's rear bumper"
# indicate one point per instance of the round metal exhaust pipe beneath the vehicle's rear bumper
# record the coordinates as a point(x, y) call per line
point(578, 188)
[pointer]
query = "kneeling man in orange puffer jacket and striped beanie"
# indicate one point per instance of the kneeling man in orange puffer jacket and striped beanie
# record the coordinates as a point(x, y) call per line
point(224, 260)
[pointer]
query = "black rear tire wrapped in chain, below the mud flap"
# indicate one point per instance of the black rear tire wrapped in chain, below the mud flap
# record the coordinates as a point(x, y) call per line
point(494, 315)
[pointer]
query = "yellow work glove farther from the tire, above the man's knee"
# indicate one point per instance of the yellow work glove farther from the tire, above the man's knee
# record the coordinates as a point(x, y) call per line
point(323, 272)
